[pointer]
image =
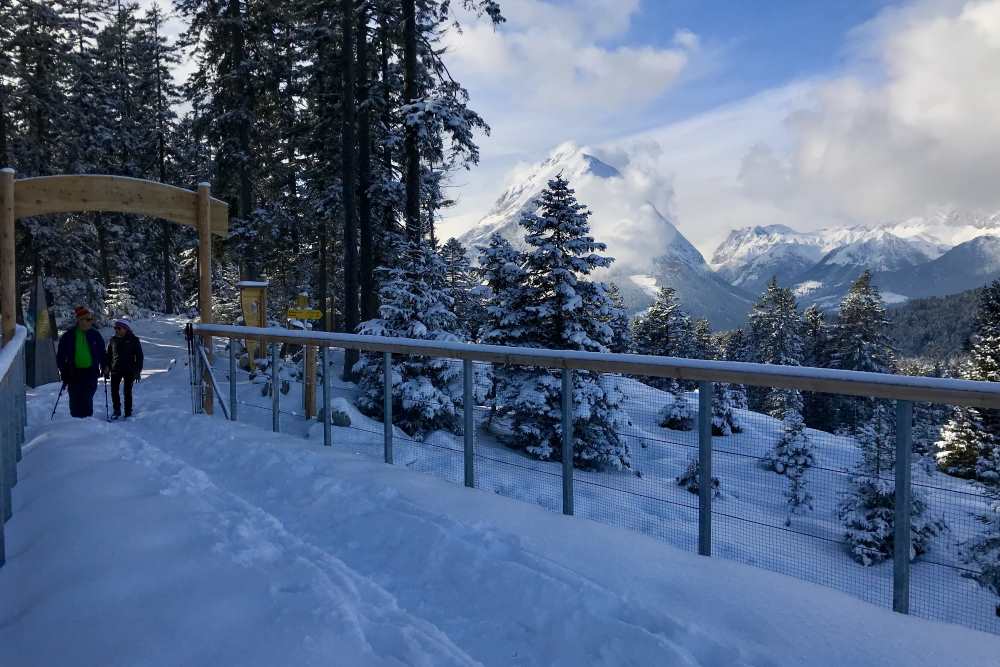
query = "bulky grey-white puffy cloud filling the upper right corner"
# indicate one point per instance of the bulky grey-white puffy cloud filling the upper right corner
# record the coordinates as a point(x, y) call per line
point(925, 134)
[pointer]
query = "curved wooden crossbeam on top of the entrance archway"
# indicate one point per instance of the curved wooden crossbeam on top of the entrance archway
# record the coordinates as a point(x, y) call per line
point(114, 194)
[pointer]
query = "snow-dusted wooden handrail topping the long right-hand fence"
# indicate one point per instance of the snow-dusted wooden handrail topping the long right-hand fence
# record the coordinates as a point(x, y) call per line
point(825, 380)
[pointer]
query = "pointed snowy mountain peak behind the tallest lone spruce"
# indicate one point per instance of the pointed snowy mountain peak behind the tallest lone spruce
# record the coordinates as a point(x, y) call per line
point(649, 249)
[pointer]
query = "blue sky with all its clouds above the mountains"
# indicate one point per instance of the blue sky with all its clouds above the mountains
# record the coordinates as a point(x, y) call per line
point(733, 113)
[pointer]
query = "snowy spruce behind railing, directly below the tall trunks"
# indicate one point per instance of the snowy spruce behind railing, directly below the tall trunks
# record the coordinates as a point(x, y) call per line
point(414, 304)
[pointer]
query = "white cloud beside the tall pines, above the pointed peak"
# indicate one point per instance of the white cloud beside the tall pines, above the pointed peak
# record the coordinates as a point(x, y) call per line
point(549, 75)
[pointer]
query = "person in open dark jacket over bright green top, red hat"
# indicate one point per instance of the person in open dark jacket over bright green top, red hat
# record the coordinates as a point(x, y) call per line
point(81, 360)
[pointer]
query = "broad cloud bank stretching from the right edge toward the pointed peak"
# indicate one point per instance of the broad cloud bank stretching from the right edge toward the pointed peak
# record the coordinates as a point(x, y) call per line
point(913, 125)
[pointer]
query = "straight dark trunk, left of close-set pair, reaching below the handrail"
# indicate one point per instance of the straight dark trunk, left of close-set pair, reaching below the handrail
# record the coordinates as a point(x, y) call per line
point(348, 177)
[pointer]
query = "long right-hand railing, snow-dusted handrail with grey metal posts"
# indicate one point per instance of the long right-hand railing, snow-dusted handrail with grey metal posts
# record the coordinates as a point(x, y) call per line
point(905, 390)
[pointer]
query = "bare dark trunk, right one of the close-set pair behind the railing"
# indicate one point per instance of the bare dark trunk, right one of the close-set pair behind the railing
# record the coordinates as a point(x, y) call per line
point(369, 300)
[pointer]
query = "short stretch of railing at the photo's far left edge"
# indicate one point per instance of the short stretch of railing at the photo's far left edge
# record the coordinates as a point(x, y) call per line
point(13, 418)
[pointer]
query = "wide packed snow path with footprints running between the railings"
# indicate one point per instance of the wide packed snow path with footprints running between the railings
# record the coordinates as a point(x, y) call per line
point(174, 539)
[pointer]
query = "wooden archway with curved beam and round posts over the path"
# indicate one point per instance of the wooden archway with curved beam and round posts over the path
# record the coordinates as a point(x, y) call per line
point(113, 194)
